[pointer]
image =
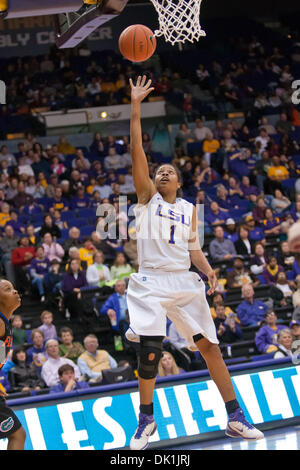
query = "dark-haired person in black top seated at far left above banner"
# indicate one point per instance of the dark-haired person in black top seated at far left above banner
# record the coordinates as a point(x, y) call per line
point(23, 377)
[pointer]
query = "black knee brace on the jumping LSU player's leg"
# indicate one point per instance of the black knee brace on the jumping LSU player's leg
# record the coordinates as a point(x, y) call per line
point(150, 354)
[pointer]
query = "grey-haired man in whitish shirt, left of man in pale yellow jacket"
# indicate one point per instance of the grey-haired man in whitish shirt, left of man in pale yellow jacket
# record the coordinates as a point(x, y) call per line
point(50, 368)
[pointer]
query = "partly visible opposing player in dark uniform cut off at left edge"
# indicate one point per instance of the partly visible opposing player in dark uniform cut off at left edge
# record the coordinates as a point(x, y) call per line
point(10, 425)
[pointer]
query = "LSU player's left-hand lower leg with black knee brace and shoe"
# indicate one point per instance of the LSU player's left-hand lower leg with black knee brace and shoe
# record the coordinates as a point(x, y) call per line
point(150, 354)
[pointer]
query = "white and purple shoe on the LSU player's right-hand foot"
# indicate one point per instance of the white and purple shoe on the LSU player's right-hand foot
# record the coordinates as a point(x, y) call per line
point(238, 426)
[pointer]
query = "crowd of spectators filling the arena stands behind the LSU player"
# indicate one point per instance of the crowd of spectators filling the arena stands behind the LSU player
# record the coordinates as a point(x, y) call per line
point(54, 246)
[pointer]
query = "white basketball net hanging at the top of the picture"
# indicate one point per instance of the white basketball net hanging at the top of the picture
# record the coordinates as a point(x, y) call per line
point(179, 20)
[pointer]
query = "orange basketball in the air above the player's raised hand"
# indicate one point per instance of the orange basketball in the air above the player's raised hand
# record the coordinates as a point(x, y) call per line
point(137, 43)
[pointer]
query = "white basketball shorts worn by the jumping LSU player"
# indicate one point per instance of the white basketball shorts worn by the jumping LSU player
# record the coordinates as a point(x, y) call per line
point(180, 295)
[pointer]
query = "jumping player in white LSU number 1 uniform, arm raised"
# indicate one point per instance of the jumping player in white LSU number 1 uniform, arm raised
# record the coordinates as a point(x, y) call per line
point(167, 239)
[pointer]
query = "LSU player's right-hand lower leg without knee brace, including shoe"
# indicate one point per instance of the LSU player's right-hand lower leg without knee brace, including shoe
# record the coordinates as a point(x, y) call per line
point(237, 425)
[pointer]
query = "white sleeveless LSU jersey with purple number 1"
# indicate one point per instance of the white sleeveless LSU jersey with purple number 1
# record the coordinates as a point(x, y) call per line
point(163, 231)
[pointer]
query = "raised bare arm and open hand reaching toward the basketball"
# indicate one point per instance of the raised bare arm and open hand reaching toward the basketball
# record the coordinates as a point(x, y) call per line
point(140, 171)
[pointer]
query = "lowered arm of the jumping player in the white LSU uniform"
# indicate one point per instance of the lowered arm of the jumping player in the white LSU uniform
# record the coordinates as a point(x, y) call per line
point(197, 256)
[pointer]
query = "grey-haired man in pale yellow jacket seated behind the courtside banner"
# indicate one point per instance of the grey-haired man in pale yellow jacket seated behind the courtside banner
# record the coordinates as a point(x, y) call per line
point(93, 361)
